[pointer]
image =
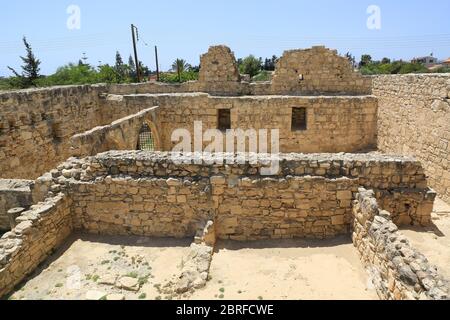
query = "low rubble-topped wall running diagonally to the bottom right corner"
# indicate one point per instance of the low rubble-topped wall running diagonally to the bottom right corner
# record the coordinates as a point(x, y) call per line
point(398, 271)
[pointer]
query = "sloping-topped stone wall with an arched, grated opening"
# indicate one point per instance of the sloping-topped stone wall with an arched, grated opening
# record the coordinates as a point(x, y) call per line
point(122, 134)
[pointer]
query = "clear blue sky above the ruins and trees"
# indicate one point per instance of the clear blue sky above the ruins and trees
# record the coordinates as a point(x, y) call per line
point(185, 29)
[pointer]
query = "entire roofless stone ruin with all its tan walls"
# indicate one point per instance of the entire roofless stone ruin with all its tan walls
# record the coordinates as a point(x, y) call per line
point(81, 149)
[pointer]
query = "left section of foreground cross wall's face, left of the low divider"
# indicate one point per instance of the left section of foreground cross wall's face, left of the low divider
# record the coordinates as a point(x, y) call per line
point(150, 206)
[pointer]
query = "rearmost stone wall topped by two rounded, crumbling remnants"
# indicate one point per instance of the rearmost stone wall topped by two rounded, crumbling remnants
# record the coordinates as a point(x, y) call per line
point(299, 72)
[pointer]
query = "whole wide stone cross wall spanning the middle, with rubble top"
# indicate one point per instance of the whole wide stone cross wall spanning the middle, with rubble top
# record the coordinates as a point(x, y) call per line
point(150, 194)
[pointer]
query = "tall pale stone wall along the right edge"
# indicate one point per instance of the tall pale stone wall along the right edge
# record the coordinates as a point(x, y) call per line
point(414, 119)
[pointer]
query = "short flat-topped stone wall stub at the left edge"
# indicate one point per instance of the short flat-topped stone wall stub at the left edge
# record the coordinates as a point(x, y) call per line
point(13, 193)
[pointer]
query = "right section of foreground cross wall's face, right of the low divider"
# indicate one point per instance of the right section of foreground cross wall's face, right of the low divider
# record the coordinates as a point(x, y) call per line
point(280, 208)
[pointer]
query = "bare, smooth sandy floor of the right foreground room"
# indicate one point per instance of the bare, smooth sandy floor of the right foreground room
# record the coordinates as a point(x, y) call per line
point(294, 270)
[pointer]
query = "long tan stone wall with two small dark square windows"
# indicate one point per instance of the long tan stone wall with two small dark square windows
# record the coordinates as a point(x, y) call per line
point(334, 124)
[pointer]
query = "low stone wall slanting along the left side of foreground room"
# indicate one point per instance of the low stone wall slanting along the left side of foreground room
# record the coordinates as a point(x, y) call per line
point(40, 230)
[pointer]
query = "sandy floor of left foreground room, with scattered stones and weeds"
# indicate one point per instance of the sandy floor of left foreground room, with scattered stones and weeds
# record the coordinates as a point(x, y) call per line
point(78, 269)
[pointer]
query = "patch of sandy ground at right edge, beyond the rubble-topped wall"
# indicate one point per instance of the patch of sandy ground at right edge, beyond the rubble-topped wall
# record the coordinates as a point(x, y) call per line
point(434, 241)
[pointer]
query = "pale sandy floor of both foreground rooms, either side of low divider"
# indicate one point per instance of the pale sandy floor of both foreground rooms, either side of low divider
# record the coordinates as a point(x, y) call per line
point(89, 267)
